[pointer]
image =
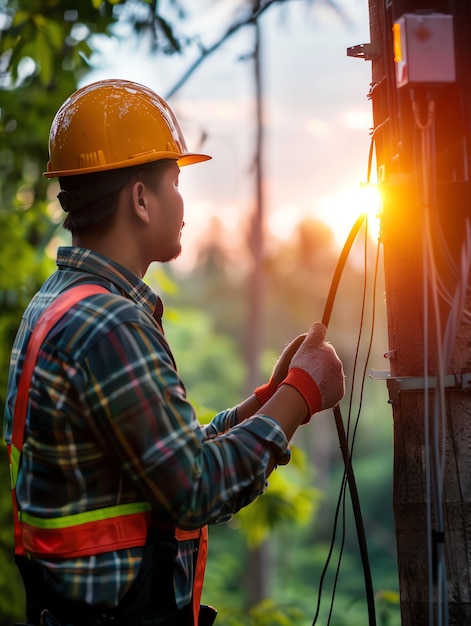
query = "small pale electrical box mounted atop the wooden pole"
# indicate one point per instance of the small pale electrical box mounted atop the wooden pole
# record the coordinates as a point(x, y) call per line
point(424, 49)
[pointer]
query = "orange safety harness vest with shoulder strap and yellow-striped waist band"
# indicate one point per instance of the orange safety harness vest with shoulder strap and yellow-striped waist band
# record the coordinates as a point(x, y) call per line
point(83, 534)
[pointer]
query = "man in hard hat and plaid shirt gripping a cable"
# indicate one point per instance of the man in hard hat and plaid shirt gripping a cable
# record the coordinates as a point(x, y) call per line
point(109, 462)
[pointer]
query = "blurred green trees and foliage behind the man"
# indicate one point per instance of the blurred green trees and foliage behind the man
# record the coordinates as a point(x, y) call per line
point(293, 556)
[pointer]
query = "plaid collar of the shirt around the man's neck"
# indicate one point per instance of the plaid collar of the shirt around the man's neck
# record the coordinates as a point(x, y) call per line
point(90, 262)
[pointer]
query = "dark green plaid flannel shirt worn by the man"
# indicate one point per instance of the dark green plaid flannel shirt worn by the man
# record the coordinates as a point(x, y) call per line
point(109, 423)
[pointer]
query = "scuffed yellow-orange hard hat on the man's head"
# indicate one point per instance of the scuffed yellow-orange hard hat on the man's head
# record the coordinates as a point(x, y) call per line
point(112, 124)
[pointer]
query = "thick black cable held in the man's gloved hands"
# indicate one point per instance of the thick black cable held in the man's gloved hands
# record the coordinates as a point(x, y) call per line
point(350, 477)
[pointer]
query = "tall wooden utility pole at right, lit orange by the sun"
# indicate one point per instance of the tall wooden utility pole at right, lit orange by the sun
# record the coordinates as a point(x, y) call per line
point(422, 134)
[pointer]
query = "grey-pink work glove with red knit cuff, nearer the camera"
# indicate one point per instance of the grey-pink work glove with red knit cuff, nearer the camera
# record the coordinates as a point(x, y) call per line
point(316, 372)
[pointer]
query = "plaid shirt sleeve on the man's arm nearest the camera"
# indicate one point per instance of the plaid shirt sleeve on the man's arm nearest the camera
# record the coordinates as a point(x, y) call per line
point(138, 409)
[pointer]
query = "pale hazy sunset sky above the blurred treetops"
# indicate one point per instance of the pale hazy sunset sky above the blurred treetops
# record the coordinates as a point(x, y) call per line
point(317, 115)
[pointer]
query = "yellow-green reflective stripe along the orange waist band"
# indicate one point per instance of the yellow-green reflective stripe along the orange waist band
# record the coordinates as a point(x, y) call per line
point(85, 517)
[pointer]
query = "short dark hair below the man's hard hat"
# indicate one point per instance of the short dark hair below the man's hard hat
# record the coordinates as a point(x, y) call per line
point(90, 200)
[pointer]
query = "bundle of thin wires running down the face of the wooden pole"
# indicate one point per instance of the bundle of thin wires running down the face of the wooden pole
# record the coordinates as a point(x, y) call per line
point(435, 293)
